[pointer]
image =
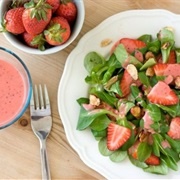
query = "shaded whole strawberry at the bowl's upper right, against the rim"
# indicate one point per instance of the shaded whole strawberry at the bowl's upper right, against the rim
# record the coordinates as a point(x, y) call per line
point(68, 10)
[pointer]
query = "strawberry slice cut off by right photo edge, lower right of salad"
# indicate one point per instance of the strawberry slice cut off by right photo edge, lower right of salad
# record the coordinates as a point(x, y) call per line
point(174, 131)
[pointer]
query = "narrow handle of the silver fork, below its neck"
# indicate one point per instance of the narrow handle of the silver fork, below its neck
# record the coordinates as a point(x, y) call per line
point(44, 161)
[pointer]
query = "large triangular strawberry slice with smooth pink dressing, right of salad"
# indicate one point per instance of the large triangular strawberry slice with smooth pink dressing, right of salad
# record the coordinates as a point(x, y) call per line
point(162, 94)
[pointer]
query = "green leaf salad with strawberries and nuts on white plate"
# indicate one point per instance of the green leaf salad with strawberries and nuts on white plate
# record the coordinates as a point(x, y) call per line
point(133, 105)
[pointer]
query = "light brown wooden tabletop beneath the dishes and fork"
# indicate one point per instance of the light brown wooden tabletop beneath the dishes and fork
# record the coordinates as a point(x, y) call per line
point(19, 148)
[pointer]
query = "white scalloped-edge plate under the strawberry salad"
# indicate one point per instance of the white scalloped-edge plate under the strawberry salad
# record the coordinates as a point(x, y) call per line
point(72, 86)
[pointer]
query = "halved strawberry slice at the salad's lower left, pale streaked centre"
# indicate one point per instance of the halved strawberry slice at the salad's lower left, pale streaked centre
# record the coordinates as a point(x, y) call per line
point(116, 136)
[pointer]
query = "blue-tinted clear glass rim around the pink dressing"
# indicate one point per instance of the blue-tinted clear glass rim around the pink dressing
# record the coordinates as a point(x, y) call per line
point(29, 91)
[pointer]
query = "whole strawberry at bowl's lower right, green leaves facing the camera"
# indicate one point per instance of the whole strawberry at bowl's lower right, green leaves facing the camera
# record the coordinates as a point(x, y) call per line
point(58, 31)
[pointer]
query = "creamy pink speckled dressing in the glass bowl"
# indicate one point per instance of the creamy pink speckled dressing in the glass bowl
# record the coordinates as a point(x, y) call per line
point(12, 92)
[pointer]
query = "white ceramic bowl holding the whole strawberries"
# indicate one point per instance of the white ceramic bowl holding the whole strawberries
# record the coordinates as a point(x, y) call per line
point(20, 45)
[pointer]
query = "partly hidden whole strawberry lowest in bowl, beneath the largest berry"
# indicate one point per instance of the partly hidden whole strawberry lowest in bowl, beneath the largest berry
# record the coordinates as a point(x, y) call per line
point(35, 41)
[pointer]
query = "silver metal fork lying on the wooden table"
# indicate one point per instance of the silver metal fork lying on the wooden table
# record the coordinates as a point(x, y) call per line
point(41, 123)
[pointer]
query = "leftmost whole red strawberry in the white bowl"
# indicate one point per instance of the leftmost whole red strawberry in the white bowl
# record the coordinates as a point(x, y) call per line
point(13, 21)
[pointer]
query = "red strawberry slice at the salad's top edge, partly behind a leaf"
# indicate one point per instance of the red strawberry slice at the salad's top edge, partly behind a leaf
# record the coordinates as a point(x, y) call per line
point(130, 44)
